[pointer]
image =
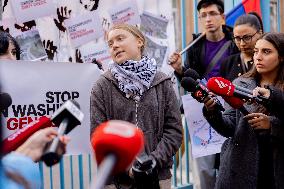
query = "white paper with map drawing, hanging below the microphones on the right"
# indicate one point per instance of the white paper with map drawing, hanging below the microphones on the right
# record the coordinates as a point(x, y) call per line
point(204, 139)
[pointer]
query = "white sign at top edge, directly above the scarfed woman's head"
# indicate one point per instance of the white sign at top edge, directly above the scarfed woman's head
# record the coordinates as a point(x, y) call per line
point(126, 12)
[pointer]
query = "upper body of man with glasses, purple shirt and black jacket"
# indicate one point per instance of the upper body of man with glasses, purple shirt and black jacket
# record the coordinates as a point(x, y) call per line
point(201, 55)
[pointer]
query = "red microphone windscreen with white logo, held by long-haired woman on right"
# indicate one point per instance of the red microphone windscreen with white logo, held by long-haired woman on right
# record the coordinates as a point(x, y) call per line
point(221, 86)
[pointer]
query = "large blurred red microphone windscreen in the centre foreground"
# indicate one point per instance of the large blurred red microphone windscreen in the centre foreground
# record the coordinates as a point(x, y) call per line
point(121, 138)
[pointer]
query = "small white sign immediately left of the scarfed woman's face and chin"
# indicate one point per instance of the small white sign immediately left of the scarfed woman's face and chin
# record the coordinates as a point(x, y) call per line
point(99, 51)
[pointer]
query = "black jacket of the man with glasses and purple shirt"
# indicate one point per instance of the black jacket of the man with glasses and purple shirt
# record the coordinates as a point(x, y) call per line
point(194, 57)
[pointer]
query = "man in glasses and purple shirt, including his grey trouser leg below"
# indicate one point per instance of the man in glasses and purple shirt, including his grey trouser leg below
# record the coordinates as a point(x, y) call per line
point(205, 57)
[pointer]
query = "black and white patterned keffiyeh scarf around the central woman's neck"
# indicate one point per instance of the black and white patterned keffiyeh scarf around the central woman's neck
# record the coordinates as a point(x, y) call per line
point(134, 77)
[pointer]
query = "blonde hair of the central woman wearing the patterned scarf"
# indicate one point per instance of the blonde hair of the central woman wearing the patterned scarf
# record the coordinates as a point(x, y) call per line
point(133, 30)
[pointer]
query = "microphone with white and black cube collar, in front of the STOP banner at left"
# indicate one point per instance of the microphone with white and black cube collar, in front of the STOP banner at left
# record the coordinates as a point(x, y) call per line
point(67, 117)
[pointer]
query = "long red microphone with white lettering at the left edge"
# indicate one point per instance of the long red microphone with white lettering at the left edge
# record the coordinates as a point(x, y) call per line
point(16, 139)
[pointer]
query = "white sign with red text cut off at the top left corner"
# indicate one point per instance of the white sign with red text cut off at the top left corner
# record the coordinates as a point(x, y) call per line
point(27, 10)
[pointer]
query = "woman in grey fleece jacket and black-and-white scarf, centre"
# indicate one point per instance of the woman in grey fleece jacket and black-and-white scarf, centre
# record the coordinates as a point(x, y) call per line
point(133, 90)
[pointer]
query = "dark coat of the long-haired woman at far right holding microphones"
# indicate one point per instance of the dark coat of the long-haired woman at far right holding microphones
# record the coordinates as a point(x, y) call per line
point(240, 153)
